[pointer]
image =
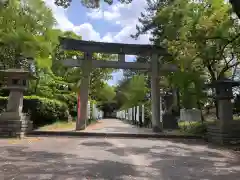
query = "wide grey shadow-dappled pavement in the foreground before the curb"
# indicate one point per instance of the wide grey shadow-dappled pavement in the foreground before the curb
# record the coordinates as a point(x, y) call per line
point(114, 159)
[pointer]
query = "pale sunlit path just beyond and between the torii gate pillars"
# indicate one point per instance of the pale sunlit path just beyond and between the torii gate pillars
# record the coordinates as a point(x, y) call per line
point(116, 126)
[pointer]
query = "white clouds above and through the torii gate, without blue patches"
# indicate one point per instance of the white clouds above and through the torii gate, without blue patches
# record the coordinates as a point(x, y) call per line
point(123, 15)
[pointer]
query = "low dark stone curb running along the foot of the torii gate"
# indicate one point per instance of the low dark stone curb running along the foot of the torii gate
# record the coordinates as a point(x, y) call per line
point(109, 135)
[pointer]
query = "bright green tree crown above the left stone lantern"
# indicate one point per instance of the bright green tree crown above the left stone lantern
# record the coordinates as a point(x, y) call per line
point(26, 29)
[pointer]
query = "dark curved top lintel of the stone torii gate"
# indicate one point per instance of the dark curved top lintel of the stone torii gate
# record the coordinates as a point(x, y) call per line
point(110, 48)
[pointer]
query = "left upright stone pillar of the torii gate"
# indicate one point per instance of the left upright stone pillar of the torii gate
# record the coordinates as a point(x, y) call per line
point(84, 90)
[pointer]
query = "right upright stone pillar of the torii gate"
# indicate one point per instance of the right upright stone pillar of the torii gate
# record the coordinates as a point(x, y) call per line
point(155, 94)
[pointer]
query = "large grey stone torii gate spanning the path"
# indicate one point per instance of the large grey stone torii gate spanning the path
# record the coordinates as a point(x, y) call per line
point(87, 63)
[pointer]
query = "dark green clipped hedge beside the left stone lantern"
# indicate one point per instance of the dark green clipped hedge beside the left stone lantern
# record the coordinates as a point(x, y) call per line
point(42, 111)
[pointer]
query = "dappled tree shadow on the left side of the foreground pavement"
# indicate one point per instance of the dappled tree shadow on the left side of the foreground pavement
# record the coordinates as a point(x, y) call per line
point(21, 163)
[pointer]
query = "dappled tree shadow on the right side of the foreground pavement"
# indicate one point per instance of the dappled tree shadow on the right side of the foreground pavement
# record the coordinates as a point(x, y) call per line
point(181, 161)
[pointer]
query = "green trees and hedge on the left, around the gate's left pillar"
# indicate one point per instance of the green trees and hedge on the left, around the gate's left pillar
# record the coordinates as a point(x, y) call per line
point(27, 30)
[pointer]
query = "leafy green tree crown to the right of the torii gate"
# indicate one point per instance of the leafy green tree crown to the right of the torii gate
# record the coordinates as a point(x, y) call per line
point(203, 38)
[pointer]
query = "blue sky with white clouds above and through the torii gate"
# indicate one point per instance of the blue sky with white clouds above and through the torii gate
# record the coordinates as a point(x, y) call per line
point(113, 23)
